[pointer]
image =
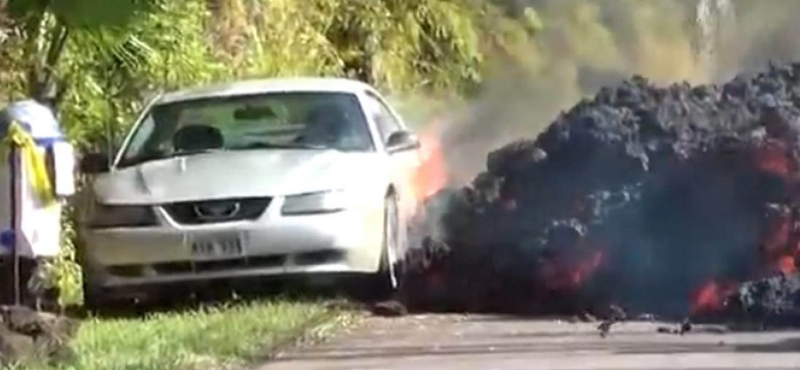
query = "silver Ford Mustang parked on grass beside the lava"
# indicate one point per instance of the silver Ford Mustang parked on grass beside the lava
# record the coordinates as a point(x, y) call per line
point(254, 178)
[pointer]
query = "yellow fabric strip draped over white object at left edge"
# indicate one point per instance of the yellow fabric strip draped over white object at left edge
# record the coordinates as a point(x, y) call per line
point(33, 160)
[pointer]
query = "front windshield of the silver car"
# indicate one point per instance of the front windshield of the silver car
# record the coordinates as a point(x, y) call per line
point(306, 120)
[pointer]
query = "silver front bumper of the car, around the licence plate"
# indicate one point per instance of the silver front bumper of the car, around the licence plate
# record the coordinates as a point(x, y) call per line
point(273, 244)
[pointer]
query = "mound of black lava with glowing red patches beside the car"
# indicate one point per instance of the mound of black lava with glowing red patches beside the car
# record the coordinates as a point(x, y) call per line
point(668, 200)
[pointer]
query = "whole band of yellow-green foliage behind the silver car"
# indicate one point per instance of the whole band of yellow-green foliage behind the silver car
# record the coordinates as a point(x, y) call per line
point(112, 61)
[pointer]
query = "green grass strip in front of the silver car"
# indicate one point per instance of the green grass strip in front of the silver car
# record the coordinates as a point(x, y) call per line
point(210, 338)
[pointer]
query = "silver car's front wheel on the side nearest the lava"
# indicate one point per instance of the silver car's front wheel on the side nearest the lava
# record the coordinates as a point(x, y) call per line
point(387, 277)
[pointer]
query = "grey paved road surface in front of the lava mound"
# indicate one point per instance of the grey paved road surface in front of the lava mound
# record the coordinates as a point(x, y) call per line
point(491, 342)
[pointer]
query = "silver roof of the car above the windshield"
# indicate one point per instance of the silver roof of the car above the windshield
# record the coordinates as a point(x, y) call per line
point(250, 87)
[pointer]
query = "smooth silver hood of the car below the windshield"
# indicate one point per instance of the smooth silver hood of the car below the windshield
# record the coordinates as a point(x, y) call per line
point(239, 174)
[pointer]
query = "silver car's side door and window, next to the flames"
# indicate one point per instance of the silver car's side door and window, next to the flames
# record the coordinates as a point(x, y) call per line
point(404, 163)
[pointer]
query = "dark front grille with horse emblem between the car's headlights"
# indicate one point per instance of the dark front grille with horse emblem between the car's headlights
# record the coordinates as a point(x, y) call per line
point(212, 211)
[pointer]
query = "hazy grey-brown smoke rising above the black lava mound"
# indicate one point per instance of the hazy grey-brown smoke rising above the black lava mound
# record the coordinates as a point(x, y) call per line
point(584, 45)
